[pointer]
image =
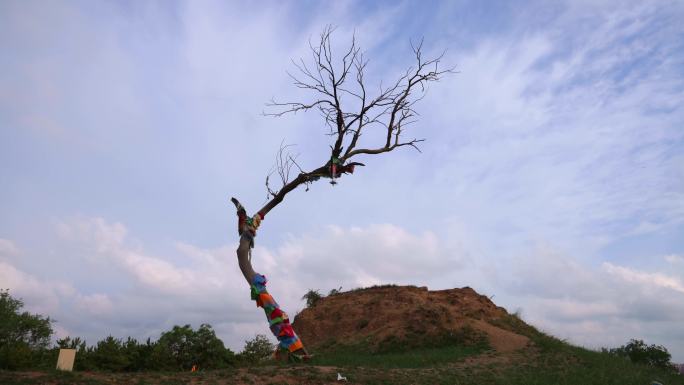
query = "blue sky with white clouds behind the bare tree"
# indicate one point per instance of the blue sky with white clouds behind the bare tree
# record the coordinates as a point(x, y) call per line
point(552, 177)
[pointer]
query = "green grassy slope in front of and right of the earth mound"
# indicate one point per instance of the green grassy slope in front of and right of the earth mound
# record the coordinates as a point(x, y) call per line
point(553, 361)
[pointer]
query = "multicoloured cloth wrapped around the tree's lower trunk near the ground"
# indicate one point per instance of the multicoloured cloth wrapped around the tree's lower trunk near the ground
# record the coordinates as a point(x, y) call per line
point(277, 319)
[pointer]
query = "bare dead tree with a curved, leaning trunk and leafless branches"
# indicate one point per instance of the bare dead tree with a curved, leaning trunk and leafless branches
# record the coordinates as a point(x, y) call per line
point(349, 109)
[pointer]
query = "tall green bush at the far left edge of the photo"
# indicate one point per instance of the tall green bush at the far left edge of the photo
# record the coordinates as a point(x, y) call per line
point(21, 334)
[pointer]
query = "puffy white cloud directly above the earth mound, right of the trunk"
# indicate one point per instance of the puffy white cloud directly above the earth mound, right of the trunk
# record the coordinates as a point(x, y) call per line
point(361, 256)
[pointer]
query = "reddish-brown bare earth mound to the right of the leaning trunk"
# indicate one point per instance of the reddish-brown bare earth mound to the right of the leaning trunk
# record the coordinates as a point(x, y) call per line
point(387, 317)
